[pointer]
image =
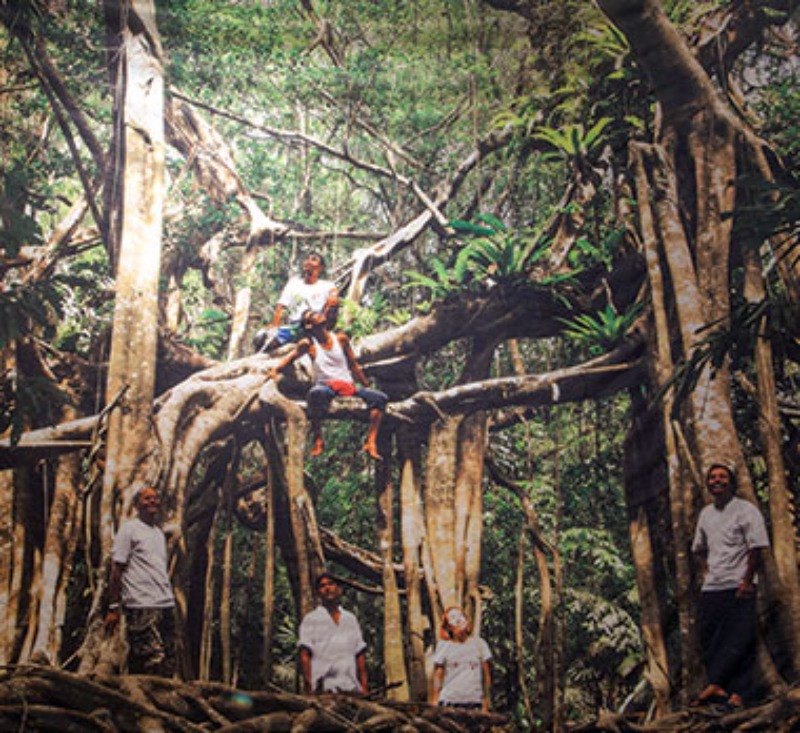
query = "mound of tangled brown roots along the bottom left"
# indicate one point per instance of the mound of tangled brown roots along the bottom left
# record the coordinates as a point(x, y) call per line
point(44, 699)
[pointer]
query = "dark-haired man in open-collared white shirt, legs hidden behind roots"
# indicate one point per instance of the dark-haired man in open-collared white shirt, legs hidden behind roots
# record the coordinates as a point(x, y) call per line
point(332, 649)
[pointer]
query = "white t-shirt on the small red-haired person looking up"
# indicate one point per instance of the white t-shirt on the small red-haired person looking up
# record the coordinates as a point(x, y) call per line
point(463, 669)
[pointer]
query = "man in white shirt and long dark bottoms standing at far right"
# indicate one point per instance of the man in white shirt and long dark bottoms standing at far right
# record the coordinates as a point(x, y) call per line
point(729, 540)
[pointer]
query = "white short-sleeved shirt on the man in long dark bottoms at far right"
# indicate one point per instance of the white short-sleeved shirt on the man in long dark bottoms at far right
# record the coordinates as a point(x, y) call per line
point(726, 536)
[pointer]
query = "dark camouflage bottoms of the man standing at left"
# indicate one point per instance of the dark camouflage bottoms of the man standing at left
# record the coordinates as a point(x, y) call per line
point(151, 638)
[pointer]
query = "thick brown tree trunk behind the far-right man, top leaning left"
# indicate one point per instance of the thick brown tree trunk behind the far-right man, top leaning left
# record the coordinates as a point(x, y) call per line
point(691, 179)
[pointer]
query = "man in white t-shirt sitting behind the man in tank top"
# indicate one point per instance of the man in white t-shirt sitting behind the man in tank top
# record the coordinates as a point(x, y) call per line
point(300, 294)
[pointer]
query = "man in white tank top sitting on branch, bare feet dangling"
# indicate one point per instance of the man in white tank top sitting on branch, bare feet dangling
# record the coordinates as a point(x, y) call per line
point(334, 366)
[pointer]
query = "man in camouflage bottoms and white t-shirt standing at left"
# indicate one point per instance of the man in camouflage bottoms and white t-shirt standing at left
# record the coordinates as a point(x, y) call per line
point(140, 587)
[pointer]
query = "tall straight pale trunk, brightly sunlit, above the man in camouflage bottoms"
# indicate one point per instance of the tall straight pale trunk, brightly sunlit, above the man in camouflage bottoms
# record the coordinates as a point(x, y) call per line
point(135, 325)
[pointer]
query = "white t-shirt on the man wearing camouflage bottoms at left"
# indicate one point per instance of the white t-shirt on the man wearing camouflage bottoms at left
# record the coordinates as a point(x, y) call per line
point(142, 548)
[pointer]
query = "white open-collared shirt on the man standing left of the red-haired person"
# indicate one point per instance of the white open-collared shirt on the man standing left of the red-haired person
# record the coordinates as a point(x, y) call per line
point(333, 648)
